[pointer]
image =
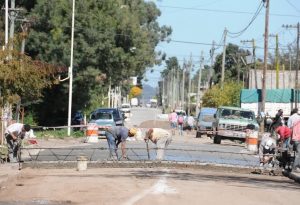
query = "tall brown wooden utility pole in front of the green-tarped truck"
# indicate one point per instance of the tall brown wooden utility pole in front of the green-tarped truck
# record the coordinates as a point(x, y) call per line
point(263, 91)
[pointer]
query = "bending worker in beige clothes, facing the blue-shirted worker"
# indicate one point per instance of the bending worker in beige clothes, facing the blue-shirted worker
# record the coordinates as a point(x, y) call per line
point(162, 138)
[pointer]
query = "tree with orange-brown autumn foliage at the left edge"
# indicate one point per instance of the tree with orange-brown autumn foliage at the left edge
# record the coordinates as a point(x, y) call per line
point(23, 79)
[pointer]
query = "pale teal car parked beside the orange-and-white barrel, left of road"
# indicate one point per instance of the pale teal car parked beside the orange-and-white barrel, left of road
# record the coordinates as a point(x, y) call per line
point(102, 118)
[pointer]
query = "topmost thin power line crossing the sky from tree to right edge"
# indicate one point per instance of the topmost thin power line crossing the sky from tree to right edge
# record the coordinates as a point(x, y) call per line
point(226, 11)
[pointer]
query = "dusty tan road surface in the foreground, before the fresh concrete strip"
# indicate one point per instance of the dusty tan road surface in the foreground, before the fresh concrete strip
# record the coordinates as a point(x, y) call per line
point(143, 186)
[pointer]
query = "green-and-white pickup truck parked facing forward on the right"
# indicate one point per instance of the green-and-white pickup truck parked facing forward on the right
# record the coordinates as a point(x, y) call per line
point(231, 123)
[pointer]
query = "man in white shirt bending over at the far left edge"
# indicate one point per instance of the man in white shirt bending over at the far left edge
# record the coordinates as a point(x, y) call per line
point(13, 133)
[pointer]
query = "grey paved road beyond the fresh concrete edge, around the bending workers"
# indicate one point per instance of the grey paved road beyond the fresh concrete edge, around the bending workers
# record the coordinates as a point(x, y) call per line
point(185, 148)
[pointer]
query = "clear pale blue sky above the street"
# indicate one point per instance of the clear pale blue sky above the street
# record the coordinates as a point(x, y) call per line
point(199, 22)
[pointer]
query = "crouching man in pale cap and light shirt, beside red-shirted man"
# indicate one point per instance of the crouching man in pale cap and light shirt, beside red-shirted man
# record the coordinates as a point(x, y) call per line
point(266, 149)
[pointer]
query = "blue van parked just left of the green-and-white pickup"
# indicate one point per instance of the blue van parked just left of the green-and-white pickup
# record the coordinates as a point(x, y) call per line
point(204, 121)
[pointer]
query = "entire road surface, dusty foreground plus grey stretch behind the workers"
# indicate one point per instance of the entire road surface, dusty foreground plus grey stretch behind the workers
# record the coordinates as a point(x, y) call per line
point(143, 185)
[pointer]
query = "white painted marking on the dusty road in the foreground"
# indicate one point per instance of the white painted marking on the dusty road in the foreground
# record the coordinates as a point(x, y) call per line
point(160, 187)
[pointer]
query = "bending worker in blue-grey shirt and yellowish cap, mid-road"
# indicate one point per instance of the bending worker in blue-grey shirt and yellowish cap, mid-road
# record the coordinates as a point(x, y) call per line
point(116, 135)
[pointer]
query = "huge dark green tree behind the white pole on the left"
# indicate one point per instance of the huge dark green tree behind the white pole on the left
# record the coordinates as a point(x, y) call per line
point(114, 40)
